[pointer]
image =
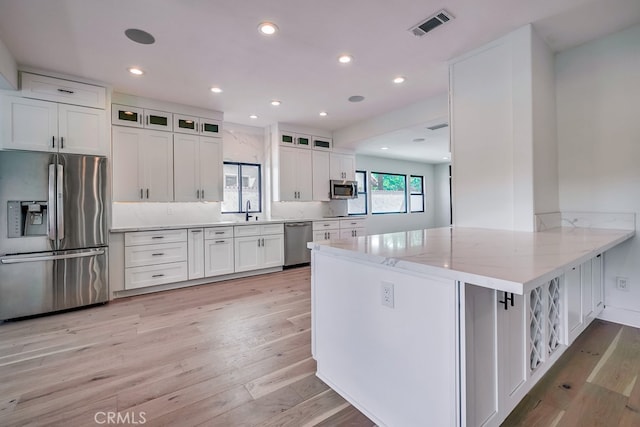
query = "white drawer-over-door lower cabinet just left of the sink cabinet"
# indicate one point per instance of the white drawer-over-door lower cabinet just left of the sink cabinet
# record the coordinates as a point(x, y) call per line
point(218, 251)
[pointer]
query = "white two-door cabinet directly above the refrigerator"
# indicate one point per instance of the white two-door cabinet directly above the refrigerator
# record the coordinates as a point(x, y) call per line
point(31, 124)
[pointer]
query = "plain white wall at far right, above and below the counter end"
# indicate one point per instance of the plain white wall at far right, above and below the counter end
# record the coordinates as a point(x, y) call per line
point(598, 93)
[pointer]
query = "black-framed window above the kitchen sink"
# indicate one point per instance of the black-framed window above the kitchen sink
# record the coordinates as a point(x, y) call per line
point(241, 185)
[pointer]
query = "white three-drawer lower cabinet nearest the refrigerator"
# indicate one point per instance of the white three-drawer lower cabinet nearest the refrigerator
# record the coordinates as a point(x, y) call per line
point(155, 258)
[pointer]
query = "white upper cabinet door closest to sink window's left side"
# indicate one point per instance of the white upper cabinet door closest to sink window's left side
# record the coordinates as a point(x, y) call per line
point(210, 167)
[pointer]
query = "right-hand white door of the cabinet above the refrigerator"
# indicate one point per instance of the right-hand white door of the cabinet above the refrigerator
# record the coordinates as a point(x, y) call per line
point(82, 130)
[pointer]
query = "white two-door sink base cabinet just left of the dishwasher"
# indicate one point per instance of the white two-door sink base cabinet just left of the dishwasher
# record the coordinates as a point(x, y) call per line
point(258, 246)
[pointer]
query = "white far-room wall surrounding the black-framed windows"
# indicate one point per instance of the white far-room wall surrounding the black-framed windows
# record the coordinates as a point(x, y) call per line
point(386, 223)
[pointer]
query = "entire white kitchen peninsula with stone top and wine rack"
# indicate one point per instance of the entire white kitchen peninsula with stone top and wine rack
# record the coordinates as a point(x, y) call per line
point(451, 326)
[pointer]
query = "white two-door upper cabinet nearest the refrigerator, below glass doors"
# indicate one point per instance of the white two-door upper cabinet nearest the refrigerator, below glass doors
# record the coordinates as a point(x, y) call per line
point(142, 165)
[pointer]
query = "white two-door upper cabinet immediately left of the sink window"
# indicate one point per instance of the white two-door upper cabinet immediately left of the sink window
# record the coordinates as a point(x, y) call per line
point(197, 168)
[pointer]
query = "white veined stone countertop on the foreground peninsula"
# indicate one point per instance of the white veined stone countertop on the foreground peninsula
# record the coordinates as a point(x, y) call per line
point(510, 261)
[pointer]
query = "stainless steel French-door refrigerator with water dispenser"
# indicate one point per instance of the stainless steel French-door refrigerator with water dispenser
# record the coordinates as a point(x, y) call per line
point(53, 238)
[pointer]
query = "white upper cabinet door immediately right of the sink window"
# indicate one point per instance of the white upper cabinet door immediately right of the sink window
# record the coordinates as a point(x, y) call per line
point(295, 175)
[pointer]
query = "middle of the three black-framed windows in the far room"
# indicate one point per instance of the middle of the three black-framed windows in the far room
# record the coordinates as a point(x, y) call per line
point(388, 193)
